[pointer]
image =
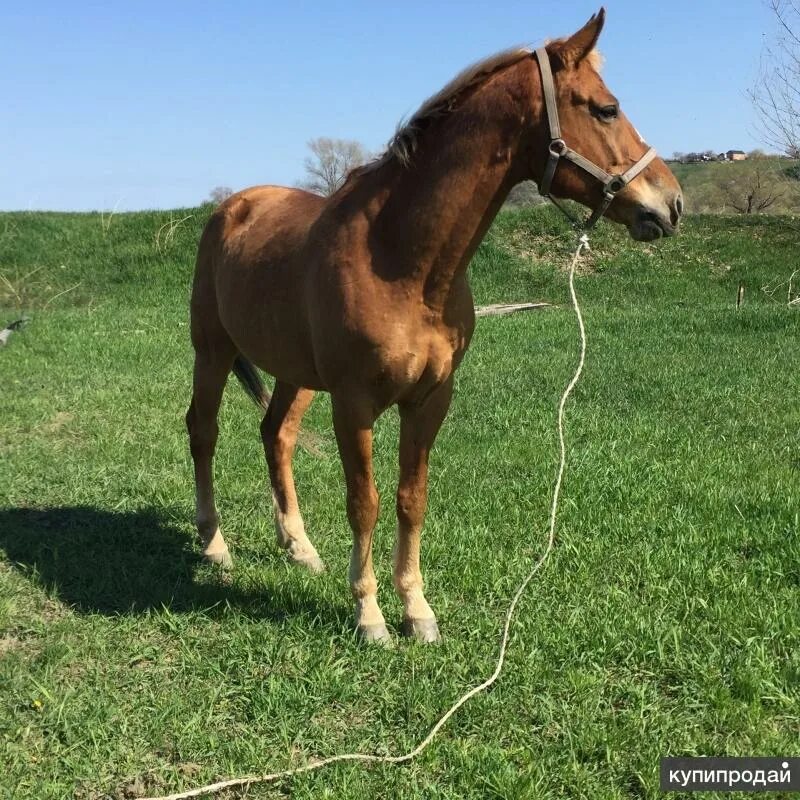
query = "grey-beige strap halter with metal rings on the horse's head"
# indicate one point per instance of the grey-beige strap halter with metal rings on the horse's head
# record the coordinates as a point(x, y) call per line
point(612, 184)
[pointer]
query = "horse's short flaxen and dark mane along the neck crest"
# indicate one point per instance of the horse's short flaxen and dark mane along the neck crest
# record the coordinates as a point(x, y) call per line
point(402, 145)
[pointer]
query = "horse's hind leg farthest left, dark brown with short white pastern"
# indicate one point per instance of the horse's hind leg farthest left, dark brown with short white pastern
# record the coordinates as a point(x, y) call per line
point(213, 360)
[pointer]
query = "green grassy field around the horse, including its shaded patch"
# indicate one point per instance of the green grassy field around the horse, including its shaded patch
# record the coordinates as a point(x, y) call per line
point(666, 621)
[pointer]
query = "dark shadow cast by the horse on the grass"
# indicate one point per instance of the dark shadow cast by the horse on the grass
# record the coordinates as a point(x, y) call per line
point(113, 563)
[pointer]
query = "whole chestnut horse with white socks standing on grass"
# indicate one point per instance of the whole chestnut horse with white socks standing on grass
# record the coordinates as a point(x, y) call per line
point(364, 294)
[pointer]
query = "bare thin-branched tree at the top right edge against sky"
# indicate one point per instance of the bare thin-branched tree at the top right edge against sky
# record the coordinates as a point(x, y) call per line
point(776, 95)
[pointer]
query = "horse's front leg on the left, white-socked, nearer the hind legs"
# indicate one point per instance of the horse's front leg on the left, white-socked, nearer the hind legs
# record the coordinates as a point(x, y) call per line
point(353, 422)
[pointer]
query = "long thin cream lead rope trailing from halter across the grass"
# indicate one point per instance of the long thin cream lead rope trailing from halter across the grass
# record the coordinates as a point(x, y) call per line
point(583, 244)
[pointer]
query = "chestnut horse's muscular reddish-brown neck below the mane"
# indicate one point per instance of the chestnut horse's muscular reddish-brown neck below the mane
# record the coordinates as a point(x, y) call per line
point(439, 208)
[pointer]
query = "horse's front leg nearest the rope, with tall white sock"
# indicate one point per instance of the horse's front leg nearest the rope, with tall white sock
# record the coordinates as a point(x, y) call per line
point(418, 428)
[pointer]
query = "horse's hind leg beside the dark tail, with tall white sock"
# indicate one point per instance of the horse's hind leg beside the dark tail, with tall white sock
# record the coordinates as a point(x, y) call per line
point(279, 431)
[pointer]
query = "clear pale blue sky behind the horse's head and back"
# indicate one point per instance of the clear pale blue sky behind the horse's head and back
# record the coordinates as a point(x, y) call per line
point(120, 105)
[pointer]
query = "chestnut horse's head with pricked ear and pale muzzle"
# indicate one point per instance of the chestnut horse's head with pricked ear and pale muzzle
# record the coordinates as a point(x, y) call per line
point(594, 126)
